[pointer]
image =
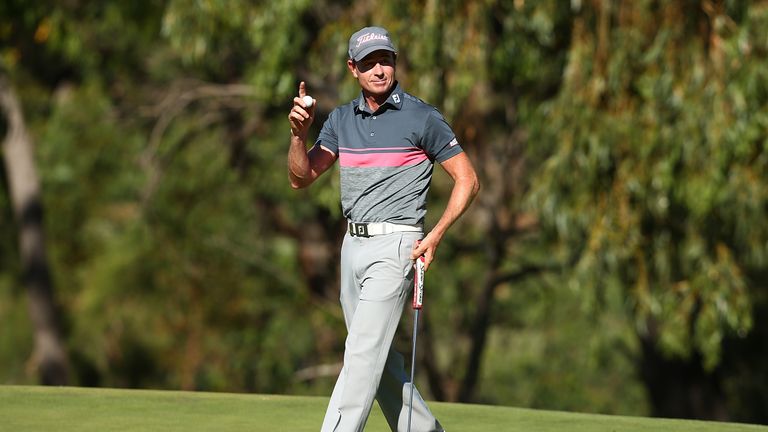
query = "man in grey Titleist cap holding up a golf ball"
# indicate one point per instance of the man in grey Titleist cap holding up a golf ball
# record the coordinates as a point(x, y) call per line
point(386, 142)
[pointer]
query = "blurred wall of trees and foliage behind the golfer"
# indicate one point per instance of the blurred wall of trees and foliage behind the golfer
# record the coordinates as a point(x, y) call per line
point(615, 261)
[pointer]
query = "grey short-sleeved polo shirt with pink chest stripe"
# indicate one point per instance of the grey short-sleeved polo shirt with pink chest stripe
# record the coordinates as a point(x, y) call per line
point(386, 157)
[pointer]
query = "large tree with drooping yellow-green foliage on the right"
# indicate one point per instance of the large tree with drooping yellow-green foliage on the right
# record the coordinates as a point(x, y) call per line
point(654, 184)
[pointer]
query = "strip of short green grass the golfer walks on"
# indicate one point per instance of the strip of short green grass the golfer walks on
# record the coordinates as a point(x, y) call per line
point(79, 409)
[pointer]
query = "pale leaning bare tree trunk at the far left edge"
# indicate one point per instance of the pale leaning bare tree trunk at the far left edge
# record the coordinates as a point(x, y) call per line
point(49, 358)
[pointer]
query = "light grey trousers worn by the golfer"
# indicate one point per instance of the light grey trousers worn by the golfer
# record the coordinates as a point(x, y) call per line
point(376, 280)
